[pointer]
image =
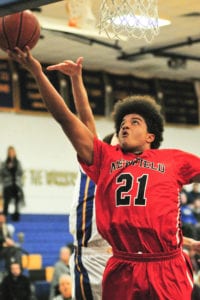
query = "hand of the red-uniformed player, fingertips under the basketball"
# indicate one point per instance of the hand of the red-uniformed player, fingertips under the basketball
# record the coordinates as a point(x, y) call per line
point(26, 59)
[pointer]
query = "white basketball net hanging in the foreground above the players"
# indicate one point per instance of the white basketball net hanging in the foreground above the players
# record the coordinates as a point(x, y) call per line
point(132, 18)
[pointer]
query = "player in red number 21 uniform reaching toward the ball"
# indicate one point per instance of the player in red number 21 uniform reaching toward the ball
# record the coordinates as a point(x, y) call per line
point(137, 197)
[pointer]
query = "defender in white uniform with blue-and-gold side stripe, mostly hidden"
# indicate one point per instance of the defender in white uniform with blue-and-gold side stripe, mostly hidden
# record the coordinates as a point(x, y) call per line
point(91, 250)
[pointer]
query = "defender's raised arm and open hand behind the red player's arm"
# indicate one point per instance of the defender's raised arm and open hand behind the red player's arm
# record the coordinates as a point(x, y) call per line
point(74, 71)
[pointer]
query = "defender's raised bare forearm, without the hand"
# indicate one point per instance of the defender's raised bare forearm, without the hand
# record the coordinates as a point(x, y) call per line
point(82, 104)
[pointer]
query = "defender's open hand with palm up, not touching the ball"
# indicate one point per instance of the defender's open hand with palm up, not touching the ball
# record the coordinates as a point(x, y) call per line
point(68, 67)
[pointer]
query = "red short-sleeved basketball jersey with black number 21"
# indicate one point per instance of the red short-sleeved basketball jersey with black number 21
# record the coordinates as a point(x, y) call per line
point(137, 198)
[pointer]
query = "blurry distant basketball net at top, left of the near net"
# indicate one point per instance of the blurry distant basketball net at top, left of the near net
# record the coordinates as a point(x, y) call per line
point(80, 14)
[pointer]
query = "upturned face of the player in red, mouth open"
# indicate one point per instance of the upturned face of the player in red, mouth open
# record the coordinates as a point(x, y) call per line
point(133, 134)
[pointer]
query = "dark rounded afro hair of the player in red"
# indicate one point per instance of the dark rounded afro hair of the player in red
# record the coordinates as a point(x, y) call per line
point(145, 106)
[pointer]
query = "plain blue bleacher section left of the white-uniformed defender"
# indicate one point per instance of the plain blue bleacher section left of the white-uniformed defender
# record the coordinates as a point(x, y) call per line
point(44, 234)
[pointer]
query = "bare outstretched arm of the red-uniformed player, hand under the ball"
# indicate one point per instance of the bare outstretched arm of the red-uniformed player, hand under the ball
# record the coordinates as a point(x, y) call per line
point(80, 136)
